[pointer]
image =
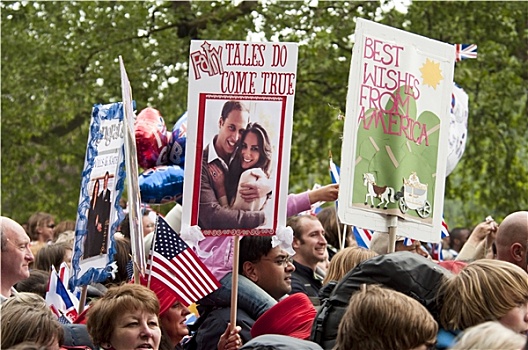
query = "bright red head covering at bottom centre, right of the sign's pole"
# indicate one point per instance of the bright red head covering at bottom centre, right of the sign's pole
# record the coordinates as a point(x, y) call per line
point(292, 316)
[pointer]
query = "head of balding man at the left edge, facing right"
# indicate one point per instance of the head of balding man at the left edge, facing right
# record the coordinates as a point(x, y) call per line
point(15, 255)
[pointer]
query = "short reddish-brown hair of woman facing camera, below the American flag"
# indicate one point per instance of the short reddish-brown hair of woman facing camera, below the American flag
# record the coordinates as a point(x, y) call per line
point(118, 300)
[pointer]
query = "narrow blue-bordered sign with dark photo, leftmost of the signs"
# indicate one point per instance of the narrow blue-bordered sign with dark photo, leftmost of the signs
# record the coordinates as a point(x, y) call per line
point(101, 188)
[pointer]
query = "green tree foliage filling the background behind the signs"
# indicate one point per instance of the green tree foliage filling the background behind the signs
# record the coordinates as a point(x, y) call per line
point(60, 58)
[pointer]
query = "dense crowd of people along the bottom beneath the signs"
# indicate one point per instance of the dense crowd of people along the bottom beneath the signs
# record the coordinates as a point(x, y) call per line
point(485, 292)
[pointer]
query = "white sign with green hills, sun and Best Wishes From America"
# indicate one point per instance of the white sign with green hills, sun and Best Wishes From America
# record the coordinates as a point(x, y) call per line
point(395, 144)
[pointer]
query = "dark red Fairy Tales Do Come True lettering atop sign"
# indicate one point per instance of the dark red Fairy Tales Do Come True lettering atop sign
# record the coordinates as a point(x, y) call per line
point(210, 61)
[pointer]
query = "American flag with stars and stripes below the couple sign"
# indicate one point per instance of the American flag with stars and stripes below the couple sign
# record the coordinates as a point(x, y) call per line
point(175, 268)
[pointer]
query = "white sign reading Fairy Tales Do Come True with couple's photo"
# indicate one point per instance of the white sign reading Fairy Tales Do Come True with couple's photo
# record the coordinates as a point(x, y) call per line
point(240, 112)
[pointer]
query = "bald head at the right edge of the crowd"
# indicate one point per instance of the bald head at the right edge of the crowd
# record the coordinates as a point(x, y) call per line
point(512, 239)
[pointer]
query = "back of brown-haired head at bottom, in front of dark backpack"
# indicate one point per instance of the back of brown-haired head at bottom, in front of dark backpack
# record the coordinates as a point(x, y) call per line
point(406, 324)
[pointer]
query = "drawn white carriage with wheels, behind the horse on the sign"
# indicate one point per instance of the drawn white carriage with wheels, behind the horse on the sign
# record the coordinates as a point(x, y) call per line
point(413, 196)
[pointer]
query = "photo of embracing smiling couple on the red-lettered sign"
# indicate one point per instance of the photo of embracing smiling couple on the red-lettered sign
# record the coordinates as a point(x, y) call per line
point(236, 172)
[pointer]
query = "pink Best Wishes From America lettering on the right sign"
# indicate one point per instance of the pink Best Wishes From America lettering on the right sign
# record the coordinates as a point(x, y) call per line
point(381, 80)
